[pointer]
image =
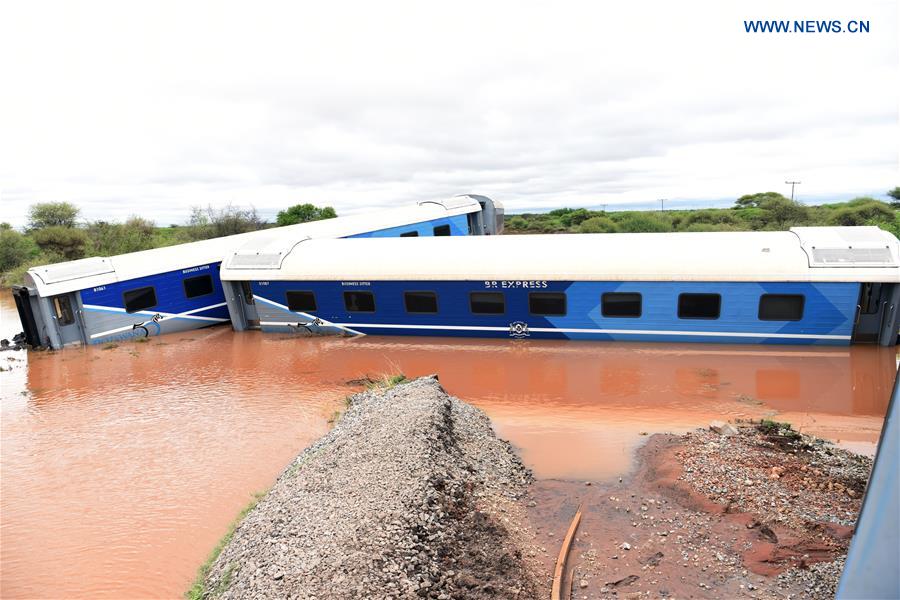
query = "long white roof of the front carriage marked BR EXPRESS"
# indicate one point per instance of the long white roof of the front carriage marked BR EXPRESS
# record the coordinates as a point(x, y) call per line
point(720, 256)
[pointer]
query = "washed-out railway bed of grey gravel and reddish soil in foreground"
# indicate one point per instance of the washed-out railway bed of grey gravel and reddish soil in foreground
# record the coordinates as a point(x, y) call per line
point(412, 495)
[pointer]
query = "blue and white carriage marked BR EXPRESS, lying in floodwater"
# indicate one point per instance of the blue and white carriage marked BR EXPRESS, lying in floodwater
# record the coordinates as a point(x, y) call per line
point(830, 285)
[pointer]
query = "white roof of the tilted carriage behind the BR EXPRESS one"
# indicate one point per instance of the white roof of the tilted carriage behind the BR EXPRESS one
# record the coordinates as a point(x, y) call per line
point(81, 274)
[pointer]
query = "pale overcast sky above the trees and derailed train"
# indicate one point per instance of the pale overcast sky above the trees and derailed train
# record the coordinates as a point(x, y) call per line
point(150, 108)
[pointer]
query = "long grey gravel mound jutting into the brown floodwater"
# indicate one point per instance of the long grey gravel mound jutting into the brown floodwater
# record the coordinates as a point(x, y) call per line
point(410, 495)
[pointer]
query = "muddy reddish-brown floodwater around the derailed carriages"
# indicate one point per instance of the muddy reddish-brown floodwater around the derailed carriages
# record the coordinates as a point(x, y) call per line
point(121, 467)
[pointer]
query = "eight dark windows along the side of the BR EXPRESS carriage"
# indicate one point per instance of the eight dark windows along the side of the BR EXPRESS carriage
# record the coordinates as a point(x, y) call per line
point(772, 307)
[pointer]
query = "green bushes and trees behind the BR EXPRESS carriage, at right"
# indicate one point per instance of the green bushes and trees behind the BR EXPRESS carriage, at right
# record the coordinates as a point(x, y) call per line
point(766, 211)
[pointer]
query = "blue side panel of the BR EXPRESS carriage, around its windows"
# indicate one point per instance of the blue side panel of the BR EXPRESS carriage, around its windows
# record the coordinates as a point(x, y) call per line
point(828, 314)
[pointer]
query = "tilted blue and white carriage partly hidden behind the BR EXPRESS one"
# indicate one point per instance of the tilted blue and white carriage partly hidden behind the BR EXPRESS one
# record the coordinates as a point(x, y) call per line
point(176, 288)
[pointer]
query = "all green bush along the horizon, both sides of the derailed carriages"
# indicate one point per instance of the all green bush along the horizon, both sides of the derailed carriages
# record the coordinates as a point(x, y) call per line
point(55, 233)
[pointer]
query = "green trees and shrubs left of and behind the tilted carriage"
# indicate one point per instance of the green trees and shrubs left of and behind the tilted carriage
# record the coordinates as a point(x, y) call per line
point(55, 233)
